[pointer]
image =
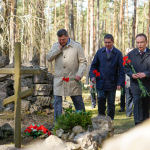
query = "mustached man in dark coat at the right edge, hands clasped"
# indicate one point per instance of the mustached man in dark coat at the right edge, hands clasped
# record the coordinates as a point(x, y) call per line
point(140, 59)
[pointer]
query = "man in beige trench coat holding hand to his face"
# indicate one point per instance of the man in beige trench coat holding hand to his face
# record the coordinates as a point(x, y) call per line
point(70, 66)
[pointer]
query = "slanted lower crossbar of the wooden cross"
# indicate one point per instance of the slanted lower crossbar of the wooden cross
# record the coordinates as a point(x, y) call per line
point(23, 94)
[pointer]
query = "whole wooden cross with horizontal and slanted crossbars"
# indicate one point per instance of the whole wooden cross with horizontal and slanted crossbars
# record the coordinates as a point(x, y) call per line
point(17, 71)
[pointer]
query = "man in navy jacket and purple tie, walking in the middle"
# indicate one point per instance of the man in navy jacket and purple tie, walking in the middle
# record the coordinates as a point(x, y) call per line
point(109, 62)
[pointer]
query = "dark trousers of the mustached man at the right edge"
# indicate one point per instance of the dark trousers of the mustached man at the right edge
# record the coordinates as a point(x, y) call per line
point(141, 108)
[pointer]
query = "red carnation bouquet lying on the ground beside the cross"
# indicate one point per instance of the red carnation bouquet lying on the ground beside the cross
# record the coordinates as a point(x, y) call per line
point(36, 130)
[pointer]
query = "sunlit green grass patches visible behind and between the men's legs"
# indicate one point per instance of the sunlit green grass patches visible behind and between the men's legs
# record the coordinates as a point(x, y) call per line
point(121, 122)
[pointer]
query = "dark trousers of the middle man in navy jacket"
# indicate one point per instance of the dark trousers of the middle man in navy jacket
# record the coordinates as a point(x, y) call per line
point(101, 97)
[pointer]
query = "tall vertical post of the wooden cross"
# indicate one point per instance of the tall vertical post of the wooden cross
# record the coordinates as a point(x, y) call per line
point(17, 135)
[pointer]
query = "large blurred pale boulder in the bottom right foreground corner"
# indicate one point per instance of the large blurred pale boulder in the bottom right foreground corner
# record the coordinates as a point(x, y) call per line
point(135, 139)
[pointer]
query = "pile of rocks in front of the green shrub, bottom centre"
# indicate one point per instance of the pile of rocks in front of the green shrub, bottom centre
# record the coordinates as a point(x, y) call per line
point(92, 139)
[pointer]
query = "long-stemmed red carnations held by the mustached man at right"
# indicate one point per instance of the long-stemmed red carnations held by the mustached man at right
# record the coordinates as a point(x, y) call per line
point(127, 62)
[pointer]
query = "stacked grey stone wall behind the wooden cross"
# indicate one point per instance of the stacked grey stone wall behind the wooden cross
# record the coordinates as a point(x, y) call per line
point(42, 85)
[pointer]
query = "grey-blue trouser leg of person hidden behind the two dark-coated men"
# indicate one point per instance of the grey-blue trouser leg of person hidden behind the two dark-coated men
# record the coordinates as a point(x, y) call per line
point(129, 102)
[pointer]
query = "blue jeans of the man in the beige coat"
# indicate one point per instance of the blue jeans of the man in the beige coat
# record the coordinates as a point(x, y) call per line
point(77, 101)
